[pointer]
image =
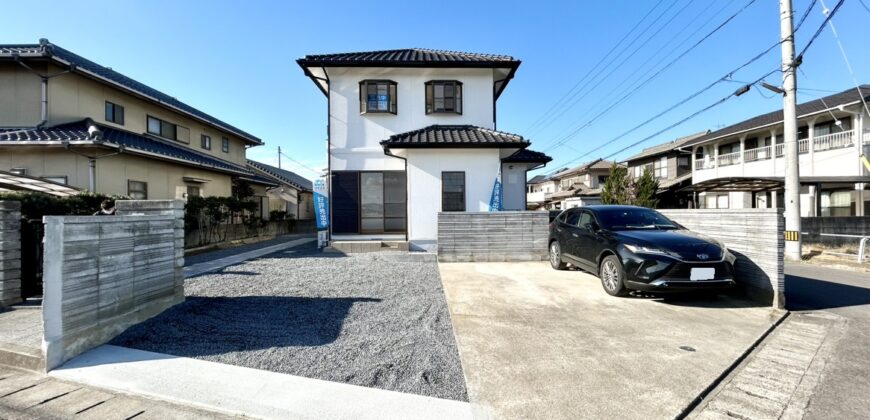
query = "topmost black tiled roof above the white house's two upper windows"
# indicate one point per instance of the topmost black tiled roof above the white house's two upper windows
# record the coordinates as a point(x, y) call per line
point(408, 57)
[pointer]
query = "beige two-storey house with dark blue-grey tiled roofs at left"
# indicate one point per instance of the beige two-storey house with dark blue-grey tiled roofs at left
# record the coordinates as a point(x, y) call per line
point(69, 120)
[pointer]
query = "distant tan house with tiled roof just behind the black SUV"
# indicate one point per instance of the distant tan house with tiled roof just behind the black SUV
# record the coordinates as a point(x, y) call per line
point(576, 187)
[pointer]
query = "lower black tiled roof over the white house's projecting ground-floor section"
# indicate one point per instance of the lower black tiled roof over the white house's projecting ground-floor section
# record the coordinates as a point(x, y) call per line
point(454, 136)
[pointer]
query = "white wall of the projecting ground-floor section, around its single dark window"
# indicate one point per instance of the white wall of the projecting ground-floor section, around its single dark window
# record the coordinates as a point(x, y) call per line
point(424, 186)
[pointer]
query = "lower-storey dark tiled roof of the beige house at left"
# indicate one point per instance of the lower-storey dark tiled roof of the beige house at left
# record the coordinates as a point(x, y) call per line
point(132, 142)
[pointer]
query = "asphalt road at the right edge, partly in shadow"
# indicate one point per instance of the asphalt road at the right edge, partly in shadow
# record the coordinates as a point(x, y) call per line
point(845, 383)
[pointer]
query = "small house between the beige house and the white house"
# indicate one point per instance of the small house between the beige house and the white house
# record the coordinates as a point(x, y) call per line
point(292, 194)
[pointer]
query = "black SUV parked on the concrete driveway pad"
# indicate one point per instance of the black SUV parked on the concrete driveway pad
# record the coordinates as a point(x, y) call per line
point(636, 248)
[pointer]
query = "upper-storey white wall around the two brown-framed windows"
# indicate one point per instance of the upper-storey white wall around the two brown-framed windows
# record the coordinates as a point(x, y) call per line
point(355, 137)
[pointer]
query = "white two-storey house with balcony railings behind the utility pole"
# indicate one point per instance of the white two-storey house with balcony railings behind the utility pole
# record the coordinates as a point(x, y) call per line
point(742, 165)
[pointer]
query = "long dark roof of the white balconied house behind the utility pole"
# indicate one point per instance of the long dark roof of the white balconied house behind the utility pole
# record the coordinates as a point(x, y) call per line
point(845, 97)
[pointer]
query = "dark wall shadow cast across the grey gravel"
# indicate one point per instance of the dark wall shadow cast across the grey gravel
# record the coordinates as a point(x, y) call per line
point(204, 326)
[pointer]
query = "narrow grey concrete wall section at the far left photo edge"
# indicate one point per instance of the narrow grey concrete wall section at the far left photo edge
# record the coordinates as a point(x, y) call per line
point(10, 252)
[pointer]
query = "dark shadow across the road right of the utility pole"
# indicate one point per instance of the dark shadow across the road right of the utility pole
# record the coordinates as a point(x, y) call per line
point(812, 293)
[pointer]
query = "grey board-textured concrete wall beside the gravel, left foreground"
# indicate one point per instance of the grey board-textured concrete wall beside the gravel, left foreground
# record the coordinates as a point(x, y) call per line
point(103, 274)
